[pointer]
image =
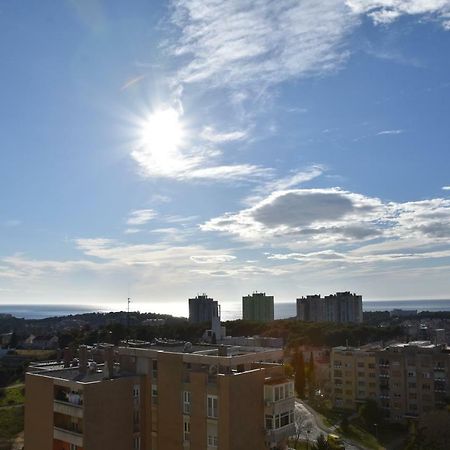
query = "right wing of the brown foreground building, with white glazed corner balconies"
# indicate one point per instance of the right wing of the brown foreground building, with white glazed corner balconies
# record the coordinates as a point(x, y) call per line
point(217, 397)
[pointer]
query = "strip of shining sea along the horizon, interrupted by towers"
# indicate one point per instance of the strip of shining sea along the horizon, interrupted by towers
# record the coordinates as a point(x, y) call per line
point(229, 311)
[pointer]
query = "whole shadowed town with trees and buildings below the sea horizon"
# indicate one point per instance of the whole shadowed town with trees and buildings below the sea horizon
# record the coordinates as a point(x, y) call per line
point(334, 376)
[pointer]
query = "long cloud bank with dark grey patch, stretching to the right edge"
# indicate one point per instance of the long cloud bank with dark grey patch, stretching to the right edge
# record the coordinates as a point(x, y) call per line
point(318, 220)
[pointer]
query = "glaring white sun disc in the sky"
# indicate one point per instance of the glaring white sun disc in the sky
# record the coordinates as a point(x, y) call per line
point(162, 136)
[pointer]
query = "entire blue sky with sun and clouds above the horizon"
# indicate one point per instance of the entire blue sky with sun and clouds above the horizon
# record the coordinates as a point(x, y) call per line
point(161, 149)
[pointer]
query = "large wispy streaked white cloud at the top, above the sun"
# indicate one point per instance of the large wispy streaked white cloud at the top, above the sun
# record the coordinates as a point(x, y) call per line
point(238, 43)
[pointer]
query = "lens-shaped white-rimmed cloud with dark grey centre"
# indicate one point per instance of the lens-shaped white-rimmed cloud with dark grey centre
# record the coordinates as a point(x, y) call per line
point(304, 214)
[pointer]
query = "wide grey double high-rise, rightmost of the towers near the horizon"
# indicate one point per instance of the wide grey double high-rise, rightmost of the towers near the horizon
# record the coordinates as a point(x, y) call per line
point(342, 307)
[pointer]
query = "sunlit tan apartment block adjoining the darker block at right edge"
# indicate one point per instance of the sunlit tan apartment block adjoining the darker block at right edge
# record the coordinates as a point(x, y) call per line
point(353, 376)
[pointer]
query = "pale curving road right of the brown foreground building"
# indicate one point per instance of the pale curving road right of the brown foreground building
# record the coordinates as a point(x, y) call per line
point(311, 426)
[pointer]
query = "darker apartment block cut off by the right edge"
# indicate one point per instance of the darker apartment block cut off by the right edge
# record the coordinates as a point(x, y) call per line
point(413, 379)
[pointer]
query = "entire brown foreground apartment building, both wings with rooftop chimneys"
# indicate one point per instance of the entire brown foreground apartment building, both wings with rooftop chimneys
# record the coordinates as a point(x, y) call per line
point(164, 396)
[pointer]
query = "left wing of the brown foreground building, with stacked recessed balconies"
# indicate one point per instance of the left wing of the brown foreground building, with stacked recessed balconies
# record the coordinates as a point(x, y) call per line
point(82, 408)
